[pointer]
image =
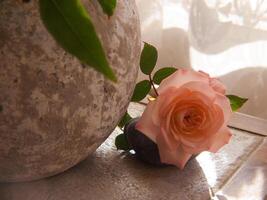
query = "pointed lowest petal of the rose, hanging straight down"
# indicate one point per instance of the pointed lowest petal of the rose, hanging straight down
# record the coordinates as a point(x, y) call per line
point(177, 157)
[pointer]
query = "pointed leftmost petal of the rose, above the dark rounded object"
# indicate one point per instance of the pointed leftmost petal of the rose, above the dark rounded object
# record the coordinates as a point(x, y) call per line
point(145, 123)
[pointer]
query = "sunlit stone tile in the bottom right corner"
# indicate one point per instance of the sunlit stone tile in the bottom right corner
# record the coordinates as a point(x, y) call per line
point(250, 182)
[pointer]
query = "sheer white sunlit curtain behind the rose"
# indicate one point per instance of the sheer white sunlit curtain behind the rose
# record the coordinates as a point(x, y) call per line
point(226, 38)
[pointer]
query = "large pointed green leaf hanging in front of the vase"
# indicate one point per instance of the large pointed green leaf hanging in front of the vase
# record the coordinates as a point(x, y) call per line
point(72, 28)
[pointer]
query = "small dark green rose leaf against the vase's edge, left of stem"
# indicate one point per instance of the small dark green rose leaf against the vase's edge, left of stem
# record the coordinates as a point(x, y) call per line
point(141, 90)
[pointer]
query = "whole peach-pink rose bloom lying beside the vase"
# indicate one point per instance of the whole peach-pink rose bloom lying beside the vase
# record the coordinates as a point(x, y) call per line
point(189, 116)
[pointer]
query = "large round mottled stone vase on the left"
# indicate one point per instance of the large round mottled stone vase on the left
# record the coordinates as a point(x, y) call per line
point(53, 112)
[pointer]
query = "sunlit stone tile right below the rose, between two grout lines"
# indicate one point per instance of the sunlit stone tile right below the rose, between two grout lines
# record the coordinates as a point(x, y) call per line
point(219, 168)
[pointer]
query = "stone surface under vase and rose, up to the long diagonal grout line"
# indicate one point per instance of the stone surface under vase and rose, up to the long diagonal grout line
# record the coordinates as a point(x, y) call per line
point(109, 174)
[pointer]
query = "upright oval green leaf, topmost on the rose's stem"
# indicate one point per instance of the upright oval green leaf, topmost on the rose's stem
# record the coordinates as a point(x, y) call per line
point(148, 59)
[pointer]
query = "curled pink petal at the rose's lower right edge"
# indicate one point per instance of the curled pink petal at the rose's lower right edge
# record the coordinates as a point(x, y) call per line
point(220, 139)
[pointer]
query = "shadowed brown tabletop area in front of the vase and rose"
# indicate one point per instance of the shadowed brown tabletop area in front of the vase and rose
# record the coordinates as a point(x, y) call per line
point(111, 175)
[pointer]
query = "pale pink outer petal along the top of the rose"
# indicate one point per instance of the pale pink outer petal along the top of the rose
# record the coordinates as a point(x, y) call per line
point(181, 77)
